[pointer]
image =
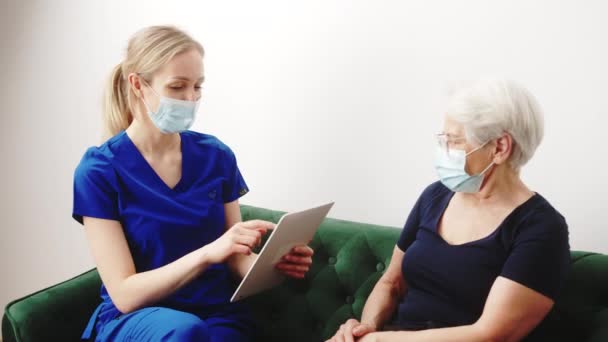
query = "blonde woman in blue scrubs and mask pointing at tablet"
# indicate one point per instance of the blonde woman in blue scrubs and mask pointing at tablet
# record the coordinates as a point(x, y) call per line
point(160, 208)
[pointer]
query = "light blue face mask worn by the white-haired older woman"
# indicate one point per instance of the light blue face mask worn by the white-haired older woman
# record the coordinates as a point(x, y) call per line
point(450, 167)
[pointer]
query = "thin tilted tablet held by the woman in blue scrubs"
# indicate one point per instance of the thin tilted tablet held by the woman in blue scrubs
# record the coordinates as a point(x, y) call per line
point(293, 229)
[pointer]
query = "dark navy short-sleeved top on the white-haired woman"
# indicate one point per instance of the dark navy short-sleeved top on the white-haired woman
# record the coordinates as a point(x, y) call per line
point(448, 284)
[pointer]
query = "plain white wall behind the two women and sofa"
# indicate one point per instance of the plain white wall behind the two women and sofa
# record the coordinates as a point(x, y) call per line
point(319, 99)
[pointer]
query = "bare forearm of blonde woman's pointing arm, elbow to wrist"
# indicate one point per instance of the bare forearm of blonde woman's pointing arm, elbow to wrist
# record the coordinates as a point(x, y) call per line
point(146, 288)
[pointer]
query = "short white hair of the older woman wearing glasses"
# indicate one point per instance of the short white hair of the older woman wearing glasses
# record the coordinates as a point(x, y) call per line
point(488, 108)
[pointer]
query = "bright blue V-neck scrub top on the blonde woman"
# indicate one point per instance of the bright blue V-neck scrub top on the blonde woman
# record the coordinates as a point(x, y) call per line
point(161, 224)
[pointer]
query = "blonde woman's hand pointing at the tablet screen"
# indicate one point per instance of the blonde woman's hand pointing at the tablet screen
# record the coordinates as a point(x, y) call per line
point(239, 239)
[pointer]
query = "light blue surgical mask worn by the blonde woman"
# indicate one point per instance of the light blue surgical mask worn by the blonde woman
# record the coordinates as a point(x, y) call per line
point(173, 116)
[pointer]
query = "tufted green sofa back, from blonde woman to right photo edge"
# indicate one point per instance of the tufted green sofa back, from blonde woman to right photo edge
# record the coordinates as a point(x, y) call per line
point(349, 259)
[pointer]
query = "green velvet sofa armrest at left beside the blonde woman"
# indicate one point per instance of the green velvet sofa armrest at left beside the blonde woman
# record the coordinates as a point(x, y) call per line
point(57, 313)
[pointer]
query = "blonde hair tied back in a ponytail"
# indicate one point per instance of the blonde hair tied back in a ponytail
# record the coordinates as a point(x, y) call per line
point(148, 50)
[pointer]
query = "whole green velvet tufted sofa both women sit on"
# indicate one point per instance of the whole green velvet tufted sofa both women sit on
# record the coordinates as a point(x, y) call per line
point(350, 257)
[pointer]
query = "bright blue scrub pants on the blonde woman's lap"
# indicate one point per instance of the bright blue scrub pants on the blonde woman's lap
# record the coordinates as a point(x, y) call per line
point(164, 324)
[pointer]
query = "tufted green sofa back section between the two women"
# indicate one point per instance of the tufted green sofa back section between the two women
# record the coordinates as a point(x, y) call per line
point(348, 261)
